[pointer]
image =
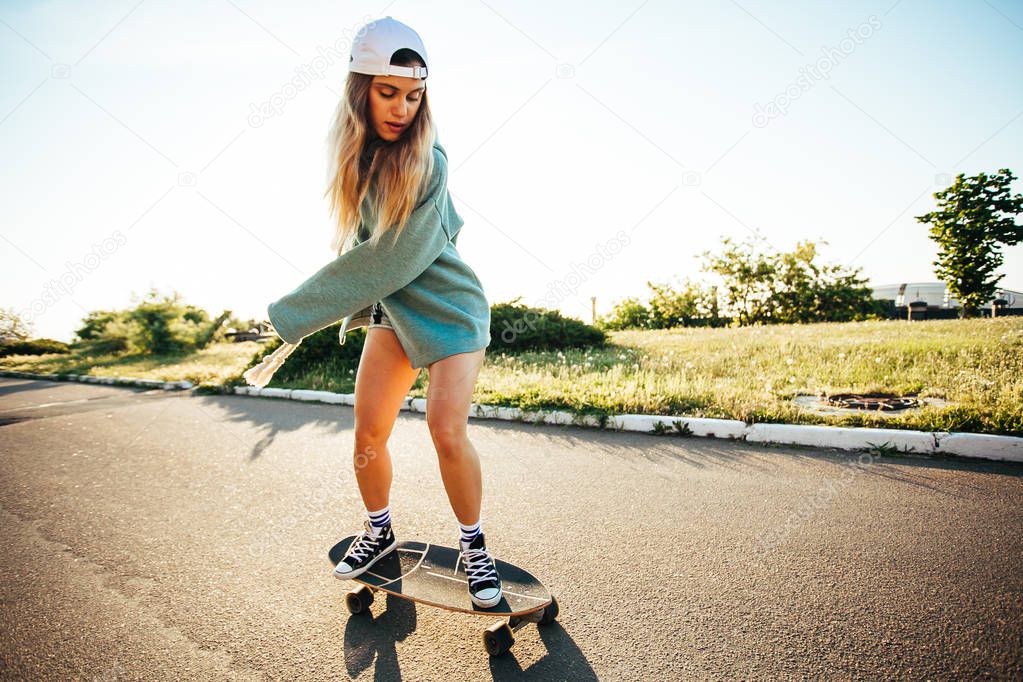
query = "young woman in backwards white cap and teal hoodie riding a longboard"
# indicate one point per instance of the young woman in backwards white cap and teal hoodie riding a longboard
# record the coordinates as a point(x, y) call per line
point(402, 278)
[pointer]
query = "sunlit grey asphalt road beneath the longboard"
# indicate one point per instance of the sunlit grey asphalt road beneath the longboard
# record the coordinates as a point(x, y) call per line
point(160, 535)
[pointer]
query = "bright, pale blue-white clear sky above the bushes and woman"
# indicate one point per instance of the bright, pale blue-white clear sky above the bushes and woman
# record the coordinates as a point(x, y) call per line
point(593, 146)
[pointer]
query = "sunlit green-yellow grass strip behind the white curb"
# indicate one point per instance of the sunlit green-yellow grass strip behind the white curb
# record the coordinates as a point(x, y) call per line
point(740, 374)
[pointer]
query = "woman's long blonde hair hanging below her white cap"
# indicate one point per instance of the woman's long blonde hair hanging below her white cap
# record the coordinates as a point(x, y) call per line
point(390, 186)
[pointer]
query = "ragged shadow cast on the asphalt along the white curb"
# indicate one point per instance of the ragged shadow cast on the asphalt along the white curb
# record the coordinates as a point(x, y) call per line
point(273, 418)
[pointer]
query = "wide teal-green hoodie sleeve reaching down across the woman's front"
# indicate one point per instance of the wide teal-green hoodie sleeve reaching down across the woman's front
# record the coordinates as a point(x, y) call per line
point(367, 274)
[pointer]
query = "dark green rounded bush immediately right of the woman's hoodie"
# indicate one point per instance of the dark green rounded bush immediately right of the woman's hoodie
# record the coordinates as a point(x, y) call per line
point(517, 328)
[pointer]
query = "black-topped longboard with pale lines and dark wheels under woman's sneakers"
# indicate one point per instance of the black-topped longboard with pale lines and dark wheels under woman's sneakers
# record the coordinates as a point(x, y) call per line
point(434, 575)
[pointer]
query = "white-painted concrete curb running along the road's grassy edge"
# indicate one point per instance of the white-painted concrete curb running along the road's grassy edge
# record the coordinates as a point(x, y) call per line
point(978, 446)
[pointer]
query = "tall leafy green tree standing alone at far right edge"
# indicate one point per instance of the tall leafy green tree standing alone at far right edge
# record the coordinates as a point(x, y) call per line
point(975, 216)
